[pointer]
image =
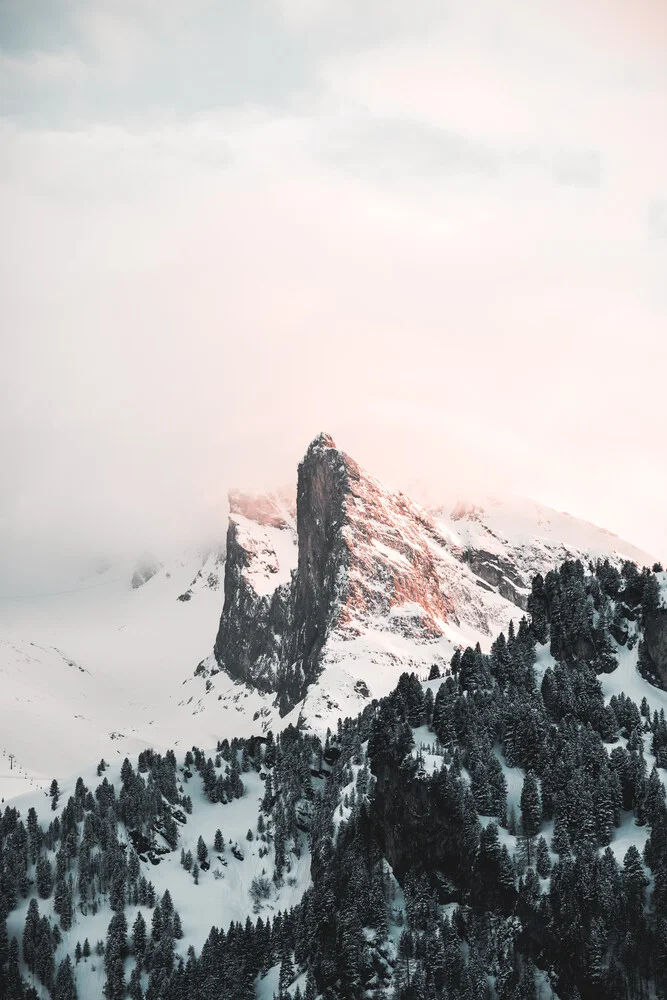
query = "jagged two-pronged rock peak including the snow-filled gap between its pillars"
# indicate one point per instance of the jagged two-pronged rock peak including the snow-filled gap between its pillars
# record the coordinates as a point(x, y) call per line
point(370, 564)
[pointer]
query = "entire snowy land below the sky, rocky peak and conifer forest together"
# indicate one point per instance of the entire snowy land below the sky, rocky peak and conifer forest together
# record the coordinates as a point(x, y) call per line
point(359, 748)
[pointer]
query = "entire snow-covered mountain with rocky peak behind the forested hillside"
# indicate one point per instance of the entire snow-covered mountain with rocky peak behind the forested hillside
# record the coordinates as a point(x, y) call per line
point(327, 594)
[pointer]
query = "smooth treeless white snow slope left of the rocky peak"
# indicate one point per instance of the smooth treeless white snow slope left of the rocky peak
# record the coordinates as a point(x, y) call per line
point(98, 671)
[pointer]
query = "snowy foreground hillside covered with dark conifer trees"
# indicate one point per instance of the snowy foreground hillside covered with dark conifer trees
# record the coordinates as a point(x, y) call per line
point(124, 878)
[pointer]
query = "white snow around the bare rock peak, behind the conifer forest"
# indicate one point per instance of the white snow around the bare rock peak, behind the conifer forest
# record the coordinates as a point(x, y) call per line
point(106, 670)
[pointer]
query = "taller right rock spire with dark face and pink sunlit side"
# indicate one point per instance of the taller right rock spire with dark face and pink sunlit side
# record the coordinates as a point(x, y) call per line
point(366, 555)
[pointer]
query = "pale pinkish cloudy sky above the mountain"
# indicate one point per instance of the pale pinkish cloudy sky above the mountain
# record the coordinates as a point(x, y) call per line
point(436, 230)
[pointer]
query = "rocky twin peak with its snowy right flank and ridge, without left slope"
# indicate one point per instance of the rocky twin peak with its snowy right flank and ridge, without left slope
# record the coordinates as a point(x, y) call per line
point(329, 599)
